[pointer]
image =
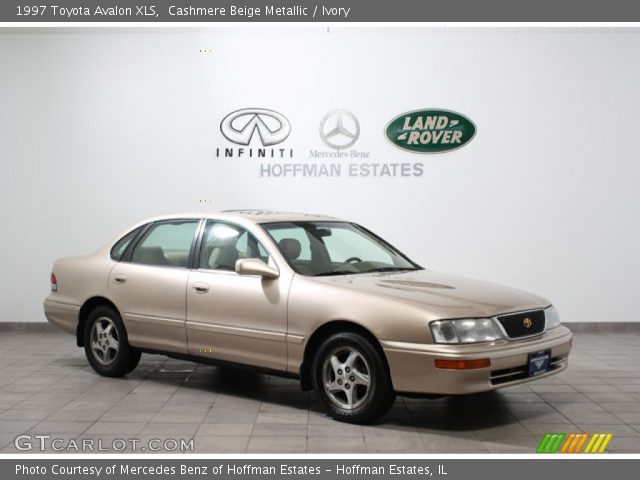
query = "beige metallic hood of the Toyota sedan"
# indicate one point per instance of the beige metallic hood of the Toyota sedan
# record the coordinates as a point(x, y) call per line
point(446, 296)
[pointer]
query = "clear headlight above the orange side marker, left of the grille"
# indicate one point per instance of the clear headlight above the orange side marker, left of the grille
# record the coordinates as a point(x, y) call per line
point(471, 330)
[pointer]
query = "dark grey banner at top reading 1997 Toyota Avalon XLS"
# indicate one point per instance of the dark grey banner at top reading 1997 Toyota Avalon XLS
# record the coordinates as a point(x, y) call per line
point(152, 11)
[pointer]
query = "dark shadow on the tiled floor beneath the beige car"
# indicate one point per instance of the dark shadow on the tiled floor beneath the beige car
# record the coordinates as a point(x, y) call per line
point(448, 413)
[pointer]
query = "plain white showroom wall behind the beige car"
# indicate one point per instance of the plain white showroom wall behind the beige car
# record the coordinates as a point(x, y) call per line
point(101, 128)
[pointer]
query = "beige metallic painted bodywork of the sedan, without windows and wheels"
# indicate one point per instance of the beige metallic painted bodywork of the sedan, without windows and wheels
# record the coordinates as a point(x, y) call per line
point(267, 322)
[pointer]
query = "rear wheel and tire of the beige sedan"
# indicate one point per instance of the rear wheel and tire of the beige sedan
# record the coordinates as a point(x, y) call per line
point(106, 345)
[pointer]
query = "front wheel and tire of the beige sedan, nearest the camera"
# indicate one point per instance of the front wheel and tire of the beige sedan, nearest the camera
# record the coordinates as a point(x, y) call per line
point(352, 378)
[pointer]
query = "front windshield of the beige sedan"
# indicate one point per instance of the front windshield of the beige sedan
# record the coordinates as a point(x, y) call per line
point(335, 248)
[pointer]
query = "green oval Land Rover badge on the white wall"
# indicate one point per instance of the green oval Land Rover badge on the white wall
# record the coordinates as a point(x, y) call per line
point(430, 131)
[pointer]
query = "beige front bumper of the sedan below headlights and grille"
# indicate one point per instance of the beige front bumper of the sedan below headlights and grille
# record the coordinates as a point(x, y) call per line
point(413, 368)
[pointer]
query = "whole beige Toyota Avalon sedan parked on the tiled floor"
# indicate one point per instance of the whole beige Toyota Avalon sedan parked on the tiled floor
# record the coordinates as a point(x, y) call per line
point(308, 296)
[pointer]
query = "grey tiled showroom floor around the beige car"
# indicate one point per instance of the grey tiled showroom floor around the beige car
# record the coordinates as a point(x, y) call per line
point(46, 387)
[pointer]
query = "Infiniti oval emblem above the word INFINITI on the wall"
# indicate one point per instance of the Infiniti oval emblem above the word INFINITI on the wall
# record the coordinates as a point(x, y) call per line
point(240, 126)
